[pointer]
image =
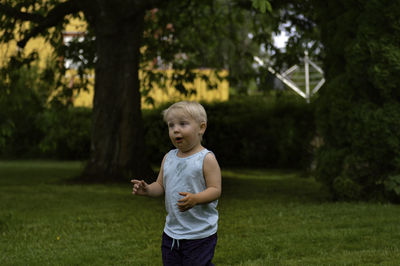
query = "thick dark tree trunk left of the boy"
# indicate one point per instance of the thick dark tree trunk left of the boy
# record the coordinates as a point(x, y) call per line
point(117, 150)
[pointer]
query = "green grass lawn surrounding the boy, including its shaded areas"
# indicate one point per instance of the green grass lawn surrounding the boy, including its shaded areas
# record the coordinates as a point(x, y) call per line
point(266, 218)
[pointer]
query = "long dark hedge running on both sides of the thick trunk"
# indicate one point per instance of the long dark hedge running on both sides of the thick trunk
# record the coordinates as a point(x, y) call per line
point(246, 132)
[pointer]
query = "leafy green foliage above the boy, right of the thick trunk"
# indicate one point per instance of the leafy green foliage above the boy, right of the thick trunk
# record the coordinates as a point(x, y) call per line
point(223, 34)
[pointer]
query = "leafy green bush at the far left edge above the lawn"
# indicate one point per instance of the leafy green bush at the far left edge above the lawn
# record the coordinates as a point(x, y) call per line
point(21, 99)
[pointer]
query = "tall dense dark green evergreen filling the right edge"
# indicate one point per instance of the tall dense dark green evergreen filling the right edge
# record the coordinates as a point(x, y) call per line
point(359, 109)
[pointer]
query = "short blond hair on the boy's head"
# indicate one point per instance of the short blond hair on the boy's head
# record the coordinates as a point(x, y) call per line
point(193, 109)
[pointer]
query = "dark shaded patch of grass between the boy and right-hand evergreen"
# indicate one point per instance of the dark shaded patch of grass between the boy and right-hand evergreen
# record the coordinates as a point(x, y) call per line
point(278, 186)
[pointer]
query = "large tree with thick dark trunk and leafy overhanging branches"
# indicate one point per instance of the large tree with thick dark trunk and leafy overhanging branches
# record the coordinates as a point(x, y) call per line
point(121, 30)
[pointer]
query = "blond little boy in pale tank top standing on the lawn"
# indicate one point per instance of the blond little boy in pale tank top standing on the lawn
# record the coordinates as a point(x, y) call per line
point(190, 178)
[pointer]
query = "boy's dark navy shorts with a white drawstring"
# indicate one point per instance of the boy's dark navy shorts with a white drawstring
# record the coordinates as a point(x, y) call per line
point(194, 252)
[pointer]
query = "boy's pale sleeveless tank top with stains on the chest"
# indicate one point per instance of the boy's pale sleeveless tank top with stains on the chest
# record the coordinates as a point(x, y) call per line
point(186, 175)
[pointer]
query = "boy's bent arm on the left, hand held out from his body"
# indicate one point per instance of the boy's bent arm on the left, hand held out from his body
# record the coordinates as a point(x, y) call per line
point(155, 189)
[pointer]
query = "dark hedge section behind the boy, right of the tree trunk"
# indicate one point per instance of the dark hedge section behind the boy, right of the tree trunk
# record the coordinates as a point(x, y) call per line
point(247, 132)
